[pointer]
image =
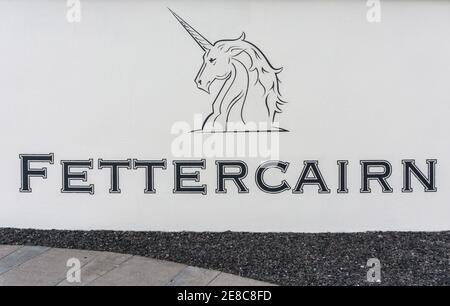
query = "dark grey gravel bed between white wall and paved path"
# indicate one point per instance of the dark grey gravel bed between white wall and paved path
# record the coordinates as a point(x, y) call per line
point(407, 258)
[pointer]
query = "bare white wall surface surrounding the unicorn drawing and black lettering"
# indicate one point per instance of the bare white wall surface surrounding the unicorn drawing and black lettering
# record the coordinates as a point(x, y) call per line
point(113, 85)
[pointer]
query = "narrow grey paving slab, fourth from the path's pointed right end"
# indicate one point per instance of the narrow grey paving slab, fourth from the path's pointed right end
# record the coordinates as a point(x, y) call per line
point(99, 266)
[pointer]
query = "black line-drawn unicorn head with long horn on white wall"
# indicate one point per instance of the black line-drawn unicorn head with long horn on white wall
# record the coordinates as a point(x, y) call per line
point(249, 94)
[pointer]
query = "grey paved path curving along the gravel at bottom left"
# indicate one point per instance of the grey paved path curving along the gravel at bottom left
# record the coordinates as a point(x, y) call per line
point(36, 265)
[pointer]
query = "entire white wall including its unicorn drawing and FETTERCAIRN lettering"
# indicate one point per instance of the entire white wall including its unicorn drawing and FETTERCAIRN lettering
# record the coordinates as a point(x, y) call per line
point(244, 116)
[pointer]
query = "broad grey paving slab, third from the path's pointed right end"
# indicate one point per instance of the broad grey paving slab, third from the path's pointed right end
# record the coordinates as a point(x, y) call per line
point(140, 271)
